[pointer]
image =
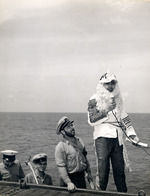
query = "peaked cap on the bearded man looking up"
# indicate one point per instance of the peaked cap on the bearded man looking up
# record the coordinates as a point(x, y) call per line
point(63, 122)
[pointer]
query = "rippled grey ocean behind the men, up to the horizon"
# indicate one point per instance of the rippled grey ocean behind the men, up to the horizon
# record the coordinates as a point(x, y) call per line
point(33, 133)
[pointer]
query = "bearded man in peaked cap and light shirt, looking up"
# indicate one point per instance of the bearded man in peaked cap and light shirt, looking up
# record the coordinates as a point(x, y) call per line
point(70, 157)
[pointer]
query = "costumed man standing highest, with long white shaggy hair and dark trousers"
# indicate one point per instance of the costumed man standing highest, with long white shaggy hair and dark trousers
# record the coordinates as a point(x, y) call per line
point(107, 115)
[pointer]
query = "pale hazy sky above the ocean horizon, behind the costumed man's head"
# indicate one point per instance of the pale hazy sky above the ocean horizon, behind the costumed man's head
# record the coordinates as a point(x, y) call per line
point(53, 53)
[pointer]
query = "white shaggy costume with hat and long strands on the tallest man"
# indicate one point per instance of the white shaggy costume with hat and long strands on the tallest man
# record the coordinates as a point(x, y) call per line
point(97, 105)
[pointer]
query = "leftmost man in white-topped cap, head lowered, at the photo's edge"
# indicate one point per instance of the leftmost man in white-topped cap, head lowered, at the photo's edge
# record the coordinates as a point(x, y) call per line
point(10, 169)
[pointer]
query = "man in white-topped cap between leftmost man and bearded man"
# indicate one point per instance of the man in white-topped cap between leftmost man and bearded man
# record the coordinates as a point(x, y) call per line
point(39, 176)
